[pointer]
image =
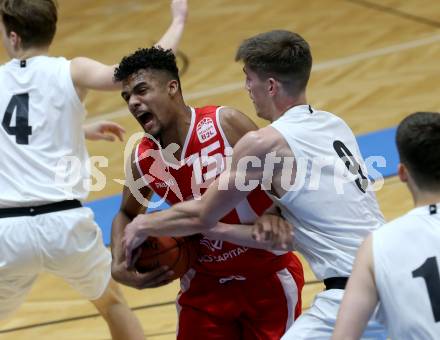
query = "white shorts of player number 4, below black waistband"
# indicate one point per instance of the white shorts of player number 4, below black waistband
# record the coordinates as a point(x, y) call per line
point(66, 243)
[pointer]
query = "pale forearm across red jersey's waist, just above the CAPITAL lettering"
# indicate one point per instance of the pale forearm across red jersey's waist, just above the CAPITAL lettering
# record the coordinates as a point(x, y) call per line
point(239, 234)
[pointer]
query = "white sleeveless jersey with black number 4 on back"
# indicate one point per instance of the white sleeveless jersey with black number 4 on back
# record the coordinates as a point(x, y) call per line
point(43, 154)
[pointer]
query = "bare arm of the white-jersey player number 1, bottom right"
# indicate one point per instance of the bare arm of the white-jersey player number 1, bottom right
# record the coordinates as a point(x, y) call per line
point(360, 297)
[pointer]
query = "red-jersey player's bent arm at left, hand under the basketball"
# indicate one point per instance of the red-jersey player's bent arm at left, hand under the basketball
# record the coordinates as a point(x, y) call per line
point(131, 206)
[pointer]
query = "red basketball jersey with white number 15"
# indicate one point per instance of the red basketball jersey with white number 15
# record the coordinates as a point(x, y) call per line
point(202, 160)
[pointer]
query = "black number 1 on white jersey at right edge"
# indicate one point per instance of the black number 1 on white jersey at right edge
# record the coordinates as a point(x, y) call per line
point(429, 272)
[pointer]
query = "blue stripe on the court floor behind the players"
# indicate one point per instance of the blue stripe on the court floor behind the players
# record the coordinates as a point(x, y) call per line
point(379, 143)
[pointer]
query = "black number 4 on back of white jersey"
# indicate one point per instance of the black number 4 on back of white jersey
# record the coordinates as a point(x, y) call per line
point(21, 130)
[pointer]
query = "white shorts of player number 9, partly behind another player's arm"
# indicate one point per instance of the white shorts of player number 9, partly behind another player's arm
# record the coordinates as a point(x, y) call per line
point(318, 322)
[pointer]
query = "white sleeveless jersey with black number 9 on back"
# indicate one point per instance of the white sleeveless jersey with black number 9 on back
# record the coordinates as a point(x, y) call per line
point(332, 210)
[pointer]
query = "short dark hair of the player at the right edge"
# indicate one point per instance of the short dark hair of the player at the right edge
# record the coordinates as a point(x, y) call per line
point(418, 142)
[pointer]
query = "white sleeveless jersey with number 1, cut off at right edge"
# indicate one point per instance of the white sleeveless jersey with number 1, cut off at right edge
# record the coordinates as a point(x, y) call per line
point(406, 256)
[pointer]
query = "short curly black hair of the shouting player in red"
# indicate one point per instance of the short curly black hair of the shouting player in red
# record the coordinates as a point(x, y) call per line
point(154, 58)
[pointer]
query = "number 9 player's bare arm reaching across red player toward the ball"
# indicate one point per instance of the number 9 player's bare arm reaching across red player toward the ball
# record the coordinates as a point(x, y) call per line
point(198, 216)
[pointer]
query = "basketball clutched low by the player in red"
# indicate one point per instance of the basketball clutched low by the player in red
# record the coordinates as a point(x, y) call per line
point(177, 253)
